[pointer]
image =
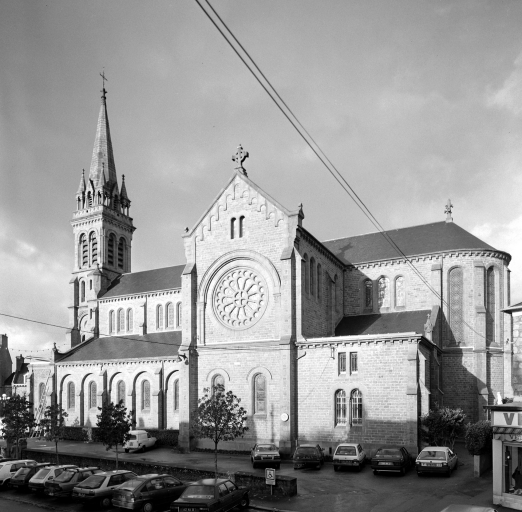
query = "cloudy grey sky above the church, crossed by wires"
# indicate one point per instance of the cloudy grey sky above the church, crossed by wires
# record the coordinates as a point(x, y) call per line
point(414, 101)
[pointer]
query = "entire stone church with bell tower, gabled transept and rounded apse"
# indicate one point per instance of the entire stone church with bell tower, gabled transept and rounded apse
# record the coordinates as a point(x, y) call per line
point(344, 340)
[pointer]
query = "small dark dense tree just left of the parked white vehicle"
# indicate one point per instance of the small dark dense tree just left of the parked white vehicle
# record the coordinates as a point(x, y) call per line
point(114, 425)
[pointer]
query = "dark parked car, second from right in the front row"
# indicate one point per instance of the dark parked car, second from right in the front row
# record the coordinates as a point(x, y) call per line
point(148, 492)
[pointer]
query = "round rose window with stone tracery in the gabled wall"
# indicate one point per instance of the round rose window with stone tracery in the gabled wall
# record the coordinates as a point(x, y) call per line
point(240, 298)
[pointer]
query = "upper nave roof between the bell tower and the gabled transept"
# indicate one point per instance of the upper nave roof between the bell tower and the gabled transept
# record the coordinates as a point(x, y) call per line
point(146, 281)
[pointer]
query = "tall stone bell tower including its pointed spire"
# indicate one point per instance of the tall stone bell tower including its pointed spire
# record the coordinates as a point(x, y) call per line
point(102, 231)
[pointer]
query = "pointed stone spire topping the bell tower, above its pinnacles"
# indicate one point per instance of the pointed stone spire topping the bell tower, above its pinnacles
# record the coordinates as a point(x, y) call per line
point(102, 162)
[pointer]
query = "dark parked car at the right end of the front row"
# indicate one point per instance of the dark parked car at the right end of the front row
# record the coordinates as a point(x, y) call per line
point(211, 495)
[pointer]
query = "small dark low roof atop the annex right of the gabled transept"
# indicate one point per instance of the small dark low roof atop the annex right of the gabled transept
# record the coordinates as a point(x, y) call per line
point(386, 323)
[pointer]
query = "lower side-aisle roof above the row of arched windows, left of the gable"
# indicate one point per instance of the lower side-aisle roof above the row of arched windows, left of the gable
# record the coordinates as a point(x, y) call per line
point(158, 344)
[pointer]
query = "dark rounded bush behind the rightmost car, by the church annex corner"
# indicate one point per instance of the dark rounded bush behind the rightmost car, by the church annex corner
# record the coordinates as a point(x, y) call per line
point(442, 425)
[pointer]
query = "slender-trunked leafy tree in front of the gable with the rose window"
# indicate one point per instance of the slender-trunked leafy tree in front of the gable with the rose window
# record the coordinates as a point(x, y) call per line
point(219, 417)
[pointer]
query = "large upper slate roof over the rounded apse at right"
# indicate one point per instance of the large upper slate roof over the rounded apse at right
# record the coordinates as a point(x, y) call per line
point(415, 240)
